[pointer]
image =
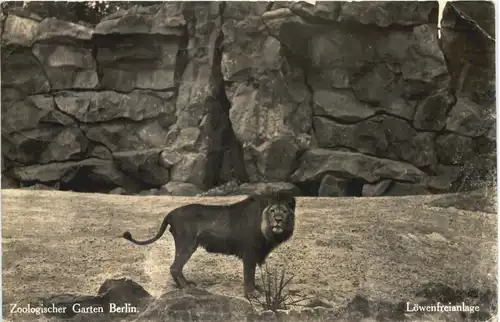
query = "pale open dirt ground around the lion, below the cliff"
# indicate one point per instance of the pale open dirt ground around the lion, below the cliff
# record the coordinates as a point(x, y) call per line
point(382, 248)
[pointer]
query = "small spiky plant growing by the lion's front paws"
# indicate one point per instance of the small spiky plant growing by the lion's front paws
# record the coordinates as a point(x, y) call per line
point(276, 294)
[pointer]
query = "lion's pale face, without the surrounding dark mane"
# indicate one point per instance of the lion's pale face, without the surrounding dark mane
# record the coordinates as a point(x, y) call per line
point(278, 219)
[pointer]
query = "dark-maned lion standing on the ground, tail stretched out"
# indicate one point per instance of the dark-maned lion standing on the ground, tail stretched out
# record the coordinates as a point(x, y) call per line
point(249, 229)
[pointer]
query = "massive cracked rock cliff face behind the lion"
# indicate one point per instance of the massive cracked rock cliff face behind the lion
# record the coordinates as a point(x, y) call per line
point(334, 98)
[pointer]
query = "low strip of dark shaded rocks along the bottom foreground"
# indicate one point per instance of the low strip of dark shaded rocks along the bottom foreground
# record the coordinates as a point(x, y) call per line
point(196, 304)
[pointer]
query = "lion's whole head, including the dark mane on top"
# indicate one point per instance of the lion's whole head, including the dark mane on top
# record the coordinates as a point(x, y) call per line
point(278, 218)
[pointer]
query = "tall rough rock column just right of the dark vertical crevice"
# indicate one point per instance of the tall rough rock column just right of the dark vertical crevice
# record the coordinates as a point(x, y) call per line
point(270, 100)
